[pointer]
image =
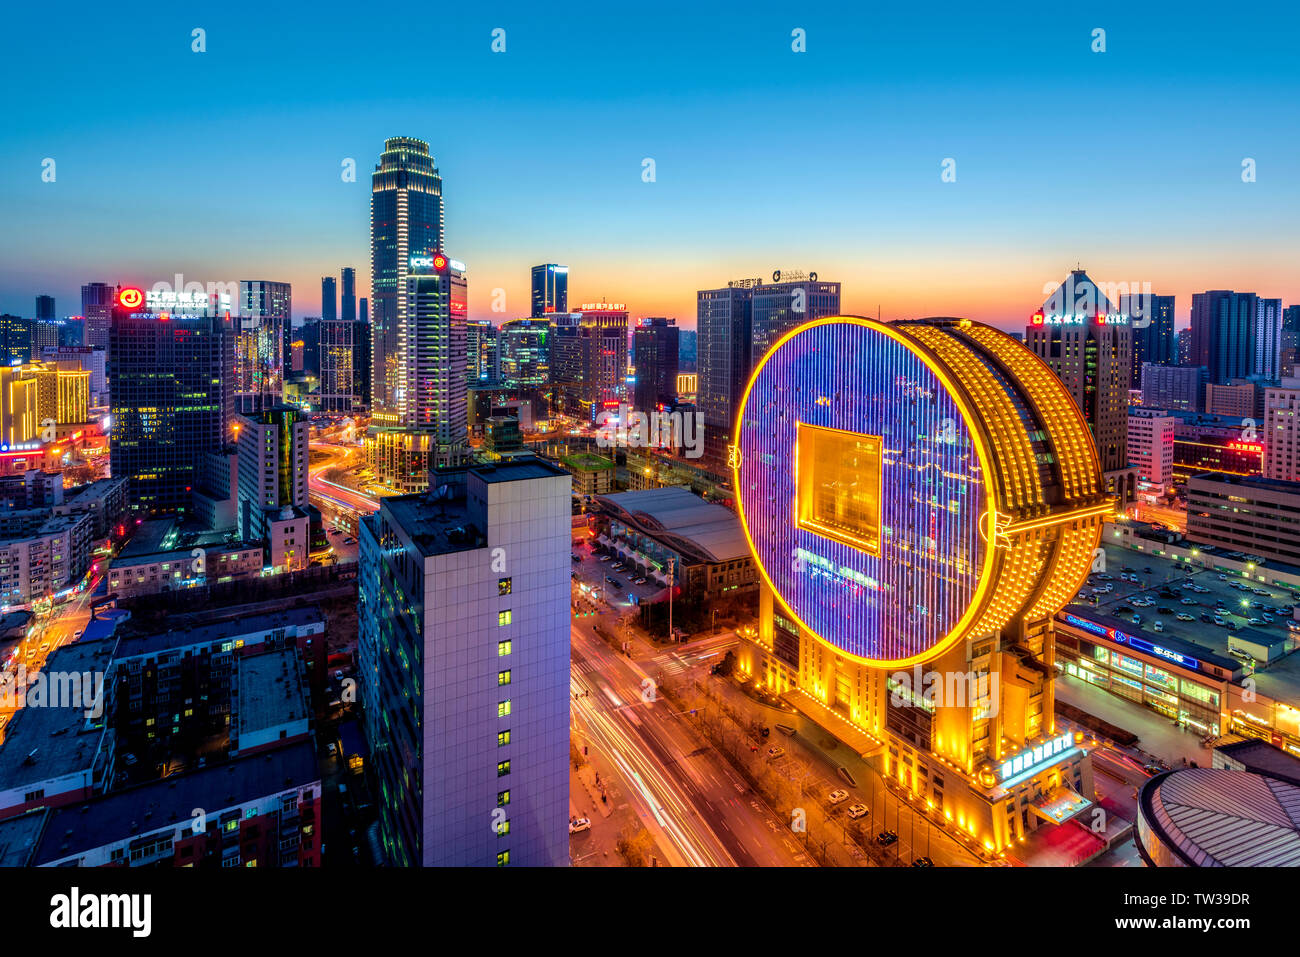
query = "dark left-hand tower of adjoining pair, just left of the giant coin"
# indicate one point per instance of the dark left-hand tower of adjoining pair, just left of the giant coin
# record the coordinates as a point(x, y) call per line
point(723, 326)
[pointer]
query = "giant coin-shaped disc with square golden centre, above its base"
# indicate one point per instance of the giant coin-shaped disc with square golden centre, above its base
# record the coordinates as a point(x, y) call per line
point(909, 486)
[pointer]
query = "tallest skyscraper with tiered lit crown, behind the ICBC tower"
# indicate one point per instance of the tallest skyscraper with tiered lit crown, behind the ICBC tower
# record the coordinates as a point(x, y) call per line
point(406, 223)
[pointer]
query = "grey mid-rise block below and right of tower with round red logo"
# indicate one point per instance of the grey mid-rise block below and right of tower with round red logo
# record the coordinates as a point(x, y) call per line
point(274, 484)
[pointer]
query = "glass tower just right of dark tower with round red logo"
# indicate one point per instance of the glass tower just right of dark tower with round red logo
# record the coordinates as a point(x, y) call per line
point(266, 315)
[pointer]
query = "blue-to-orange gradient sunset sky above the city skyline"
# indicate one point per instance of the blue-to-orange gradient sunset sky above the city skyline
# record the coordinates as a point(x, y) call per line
point(226, 166)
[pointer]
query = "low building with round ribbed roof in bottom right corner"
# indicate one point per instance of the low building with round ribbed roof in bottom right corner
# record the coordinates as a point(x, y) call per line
point(1208, 817)
